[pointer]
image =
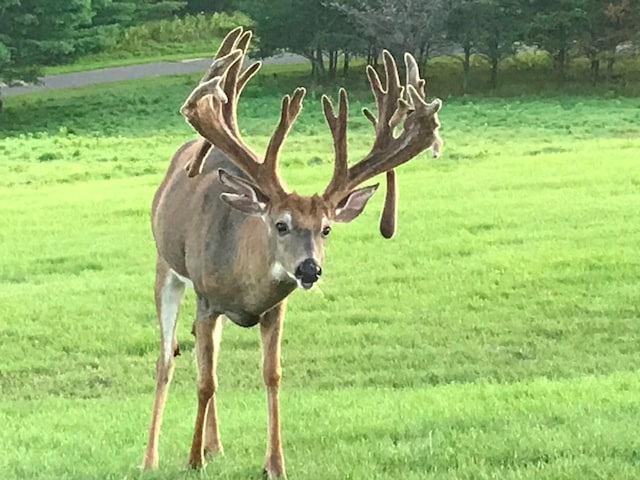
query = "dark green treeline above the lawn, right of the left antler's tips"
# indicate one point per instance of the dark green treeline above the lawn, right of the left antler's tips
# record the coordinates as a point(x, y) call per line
point(326, 31)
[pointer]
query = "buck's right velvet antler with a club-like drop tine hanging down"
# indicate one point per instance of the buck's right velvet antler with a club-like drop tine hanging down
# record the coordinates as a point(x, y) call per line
point(395, 103)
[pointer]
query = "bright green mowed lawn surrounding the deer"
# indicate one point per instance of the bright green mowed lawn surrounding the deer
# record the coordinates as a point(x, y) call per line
point(495, 337)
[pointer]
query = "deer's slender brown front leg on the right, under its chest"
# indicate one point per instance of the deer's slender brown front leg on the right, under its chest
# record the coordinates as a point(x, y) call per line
point(271, 326)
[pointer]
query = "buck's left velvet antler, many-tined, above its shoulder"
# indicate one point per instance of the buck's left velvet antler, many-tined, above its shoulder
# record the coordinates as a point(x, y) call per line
point(211, 109)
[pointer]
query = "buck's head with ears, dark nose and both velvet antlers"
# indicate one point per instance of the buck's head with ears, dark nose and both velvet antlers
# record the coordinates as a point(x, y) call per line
point(298, 226)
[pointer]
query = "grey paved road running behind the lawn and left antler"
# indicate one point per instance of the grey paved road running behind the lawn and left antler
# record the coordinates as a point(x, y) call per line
point(132, 72)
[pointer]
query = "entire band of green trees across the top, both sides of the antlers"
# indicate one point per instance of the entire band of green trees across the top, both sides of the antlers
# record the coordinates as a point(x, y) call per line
point(330, 33)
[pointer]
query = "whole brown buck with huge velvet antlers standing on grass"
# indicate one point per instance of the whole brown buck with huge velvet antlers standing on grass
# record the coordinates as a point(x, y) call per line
point(225, 225)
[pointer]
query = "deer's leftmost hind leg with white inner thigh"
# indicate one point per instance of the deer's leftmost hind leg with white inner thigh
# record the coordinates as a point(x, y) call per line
point(169, 290)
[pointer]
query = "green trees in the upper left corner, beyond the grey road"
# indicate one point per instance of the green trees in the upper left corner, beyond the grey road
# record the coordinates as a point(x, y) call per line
point(36, 33)
